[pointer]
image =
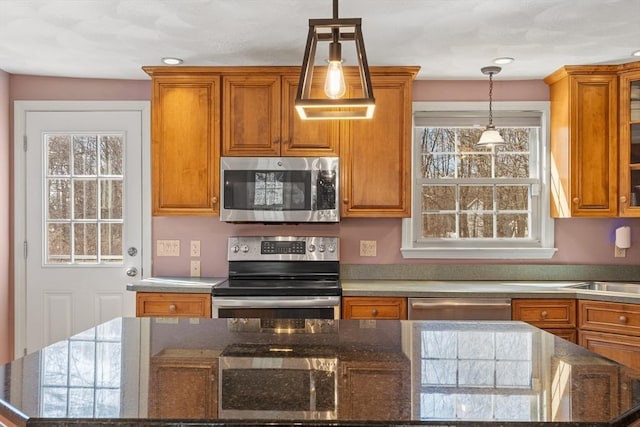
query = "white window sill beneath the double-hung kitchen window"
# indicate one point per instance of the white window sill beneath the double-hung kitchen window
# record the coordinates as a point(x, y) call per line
point(478, 253)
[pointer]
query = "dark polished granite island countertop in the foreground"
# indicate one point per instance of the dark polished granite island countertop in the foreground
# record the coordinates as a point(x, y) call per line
point(205, 372)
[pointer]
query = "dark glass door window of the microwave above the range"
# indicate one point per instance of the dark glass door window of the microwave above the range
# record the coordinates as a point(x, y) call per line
point(267, 190)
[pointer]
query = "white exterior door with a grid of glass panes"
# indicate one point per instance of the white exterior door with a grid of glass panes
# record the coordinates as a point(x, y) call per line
point(83, 220)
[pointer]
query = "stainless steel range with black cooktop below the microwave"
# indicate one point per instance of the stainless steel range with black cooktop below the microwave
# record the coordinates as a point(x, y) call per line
point(280, 278)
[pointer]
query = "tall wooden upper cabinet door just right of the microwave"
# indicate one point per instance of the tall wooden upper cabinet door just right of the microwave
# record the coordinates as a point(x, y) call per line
point(376, 153)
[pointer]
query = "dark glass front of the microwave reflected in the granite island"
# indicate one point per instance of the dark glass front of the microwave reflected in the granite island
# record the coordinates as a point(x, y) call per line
point(277, 390)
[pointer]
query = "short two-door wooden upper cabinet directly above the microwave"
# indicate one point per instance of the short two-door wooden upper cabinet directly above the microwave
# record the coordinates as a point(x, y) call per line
point(259, 119)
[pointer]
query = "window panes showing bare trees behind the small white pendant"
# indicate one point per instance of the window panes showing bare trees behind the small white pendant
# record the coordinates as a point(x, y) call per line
point(471, 193)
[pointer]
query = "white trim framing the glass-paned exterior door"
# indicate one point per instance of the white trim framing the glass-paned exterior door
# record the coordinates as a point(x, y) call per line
point(19, 223)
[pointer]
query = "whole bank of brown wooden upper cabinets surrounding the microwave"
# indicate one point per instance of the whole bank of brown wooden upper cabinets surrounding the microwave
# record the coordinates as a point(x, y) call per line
point(201, 113)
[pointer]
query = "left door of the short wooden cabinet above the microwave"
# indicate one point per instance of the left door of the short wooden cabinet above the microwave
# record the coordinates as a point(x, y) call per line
point(251, 115)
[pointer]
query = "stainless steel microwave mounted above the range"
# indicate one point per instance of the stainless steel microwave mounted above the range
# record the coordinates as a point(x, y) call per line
point(279, 189)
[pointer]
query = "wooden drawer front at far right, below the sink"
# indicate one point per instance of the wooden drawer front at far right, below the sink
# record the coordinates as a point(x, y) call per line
point(610, 317)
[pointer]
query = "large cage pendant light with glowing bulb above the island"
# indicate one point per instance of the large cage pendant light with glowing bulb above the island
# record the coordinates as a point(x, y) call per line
point(334, 105)
